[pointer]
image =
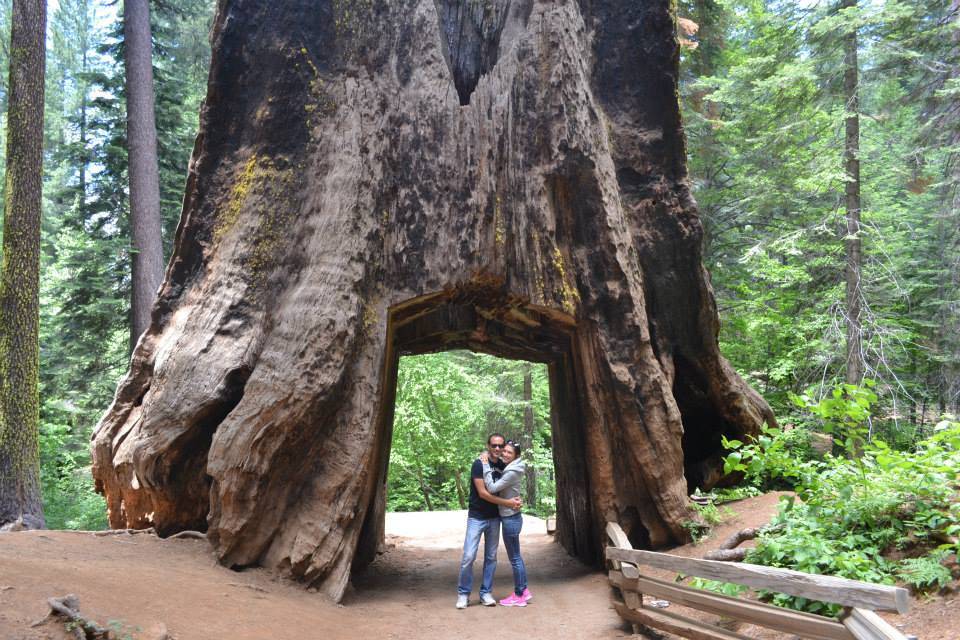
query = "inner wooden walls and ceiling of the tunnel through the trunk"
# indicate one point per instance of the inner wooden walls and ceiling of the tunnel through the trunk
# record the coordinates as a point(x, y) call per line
point(506, 329)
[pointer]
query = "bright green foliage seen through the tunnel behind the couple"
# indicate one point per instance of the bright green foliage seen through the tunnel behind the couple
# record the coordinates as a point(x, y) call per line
point(447, 403)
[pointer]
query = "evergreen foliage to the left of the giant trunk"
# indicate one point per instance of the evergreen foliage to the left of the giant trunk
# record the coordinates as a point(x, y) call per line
point(85, 288)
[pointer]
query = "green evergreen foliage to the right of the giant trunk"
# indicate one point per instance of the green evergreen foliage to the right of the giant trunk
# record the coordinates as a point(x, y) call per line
point(764, 112)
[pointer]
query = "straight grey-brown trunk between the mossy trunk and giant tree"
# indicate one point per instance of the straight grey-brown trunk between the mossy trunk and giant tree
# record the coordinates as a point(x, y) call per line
point(145, 223)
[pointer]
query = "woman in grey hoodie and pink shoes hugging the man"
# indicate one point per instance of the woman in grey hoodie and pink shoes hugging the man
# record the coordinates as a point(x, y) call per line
point(508, 486)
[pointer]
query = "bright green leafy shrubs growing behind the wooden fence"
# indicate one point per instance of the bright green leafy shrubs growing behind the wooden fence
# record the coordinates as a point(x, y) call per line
point(851, 512)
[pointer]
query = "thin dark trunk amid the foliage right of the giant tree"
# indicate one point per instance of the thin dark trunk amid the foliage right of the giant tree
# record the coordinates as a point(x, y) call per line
point(851, 160)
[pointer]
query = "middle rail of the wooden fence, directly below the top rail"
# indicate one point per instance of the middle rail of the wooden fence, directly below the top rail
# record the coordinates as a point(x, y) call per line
point(805, 625)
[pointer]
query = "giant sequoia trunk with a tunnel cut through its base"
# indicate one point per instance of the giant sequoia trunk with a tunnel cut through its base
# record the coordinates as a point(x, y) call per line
point(374, 179)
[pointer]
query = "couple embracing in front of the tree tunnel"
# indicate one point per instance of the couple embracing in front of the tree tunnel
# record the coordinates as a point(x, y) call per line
point(495, 481)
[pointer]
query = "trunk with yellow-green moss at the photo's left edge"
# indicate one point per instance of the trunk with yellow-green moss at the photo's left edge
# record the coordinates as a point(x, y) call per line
point(20, 497)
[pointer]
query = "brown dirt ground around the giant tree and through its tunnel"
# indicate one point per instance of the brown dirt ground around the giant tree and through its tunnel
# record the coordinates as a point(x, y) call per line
point(151, 589)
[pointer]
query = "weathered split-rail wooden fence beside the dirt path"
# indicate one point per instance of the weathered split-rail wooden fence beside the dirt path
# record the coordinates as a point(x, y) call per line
point(859, 599)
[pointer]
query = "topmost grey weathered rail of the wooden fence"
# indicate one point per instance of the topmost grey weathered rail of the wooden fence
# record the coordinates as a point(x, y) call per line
point(842, 591)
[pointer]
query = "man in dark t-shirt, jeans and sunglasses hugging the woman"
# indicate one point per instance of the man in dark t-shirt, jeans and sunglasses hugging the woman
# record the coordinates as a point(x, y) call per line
point(483, 519)
